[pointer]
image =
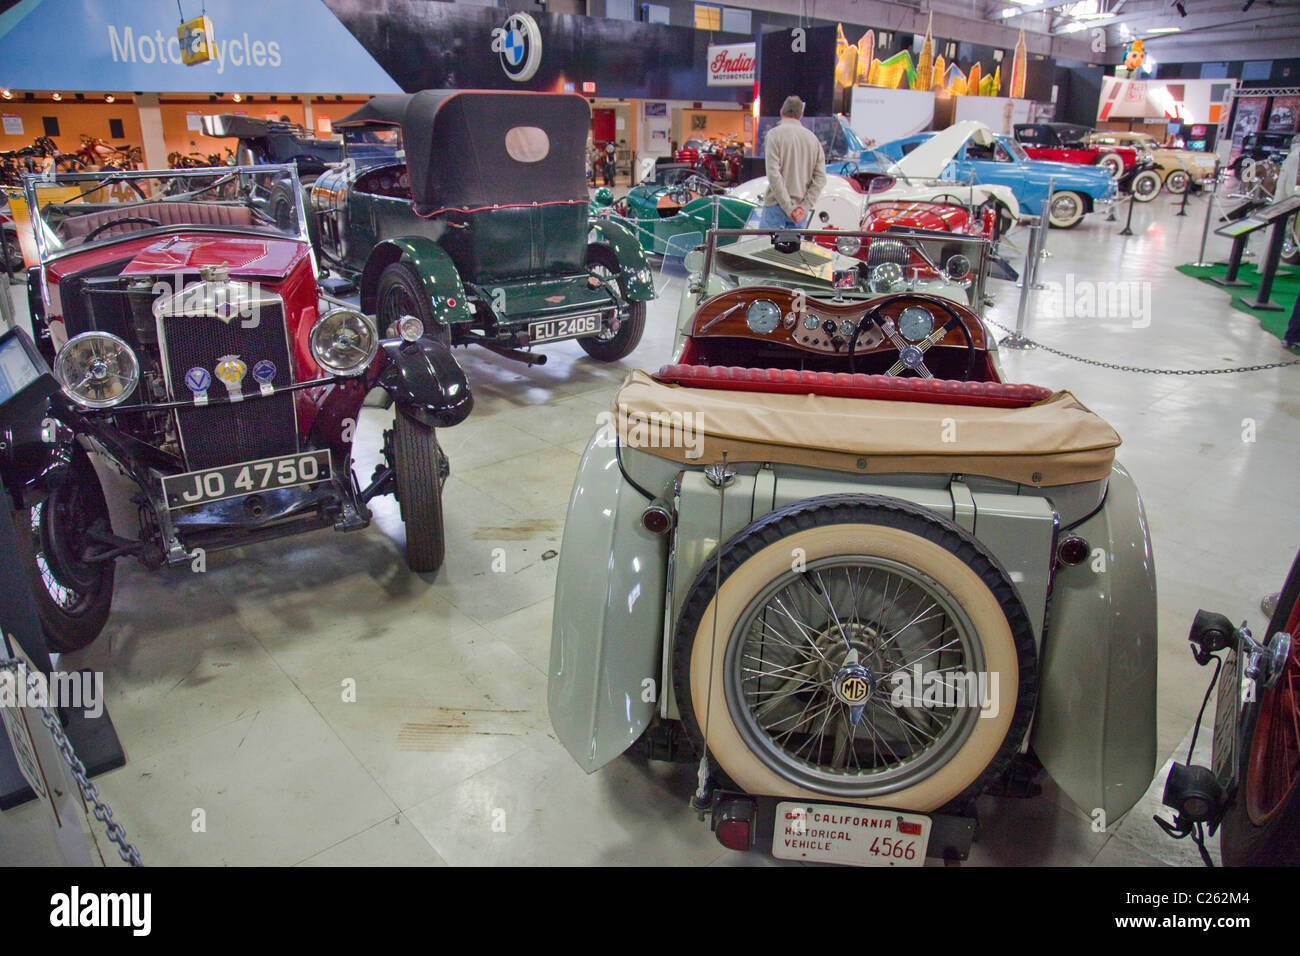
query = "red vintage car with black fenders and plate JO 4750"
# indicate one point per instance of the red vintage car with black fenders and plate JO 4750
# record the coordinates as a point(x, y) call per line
point(200, 362)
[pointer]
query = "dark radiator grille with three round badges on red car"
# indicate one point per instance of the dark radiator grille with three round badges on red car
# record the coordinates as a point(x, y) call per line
point(245, 431)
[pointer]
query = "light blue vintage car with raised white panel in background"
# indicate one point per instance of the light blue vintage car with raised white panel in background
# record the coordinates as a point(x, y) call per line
point(970, 153)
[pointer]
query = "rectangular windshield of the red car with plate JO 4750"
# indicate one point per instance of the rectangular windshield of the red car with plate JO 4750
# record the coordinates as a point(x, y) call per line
point(80, 210)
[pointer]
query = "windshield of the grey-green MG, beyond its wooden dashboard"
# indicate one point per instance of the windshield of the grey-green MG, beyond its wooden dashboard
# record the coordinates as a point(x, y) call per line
point(843, 266)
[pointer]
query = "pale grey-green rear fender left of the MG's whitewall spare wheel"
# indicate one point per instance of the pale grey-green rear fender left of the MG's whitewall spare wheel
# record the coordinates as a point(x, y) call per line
point(603, 686)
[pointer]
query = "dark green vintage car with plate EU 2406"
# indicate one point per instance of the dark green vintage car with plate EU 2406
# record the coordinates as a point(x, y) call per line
point(479, 227)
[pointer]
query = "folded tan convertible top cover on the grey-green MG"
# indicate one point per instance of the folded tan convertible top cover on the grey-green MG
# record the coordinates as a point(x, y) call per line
point(1055, 443)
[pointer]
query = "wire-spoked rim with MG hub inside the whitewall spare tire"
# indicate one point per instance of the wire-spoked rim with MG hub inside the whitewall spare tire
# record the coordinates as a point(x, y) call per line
point(831, 671)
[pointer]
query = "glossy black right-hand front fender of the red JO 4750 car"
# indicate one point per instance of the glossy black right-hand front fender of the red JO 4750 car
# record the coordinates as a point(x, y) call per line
point(426, 382)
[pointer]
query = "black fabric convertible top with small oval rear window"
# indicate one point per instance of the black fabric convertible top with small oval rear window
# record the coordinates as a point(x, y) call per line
point(470, 149)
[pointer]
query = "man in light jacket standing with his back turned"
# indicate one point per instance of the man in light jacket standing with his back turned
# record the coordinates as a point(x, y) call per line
point(796, 172)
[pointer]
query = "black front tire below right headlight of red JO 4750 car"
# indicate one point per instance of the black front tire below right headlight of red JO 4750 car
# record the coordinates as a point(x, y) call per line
point(419, 492)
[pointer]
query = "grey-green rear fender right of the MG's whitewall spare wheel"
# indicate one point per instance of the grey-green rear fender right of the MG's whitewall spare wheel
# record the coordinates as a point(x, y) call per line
point(1095, 729)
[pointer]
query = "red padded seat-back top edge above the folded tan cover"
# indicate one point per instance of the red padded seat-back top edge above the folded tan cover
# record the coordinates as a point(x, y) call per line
point(855, 386)
